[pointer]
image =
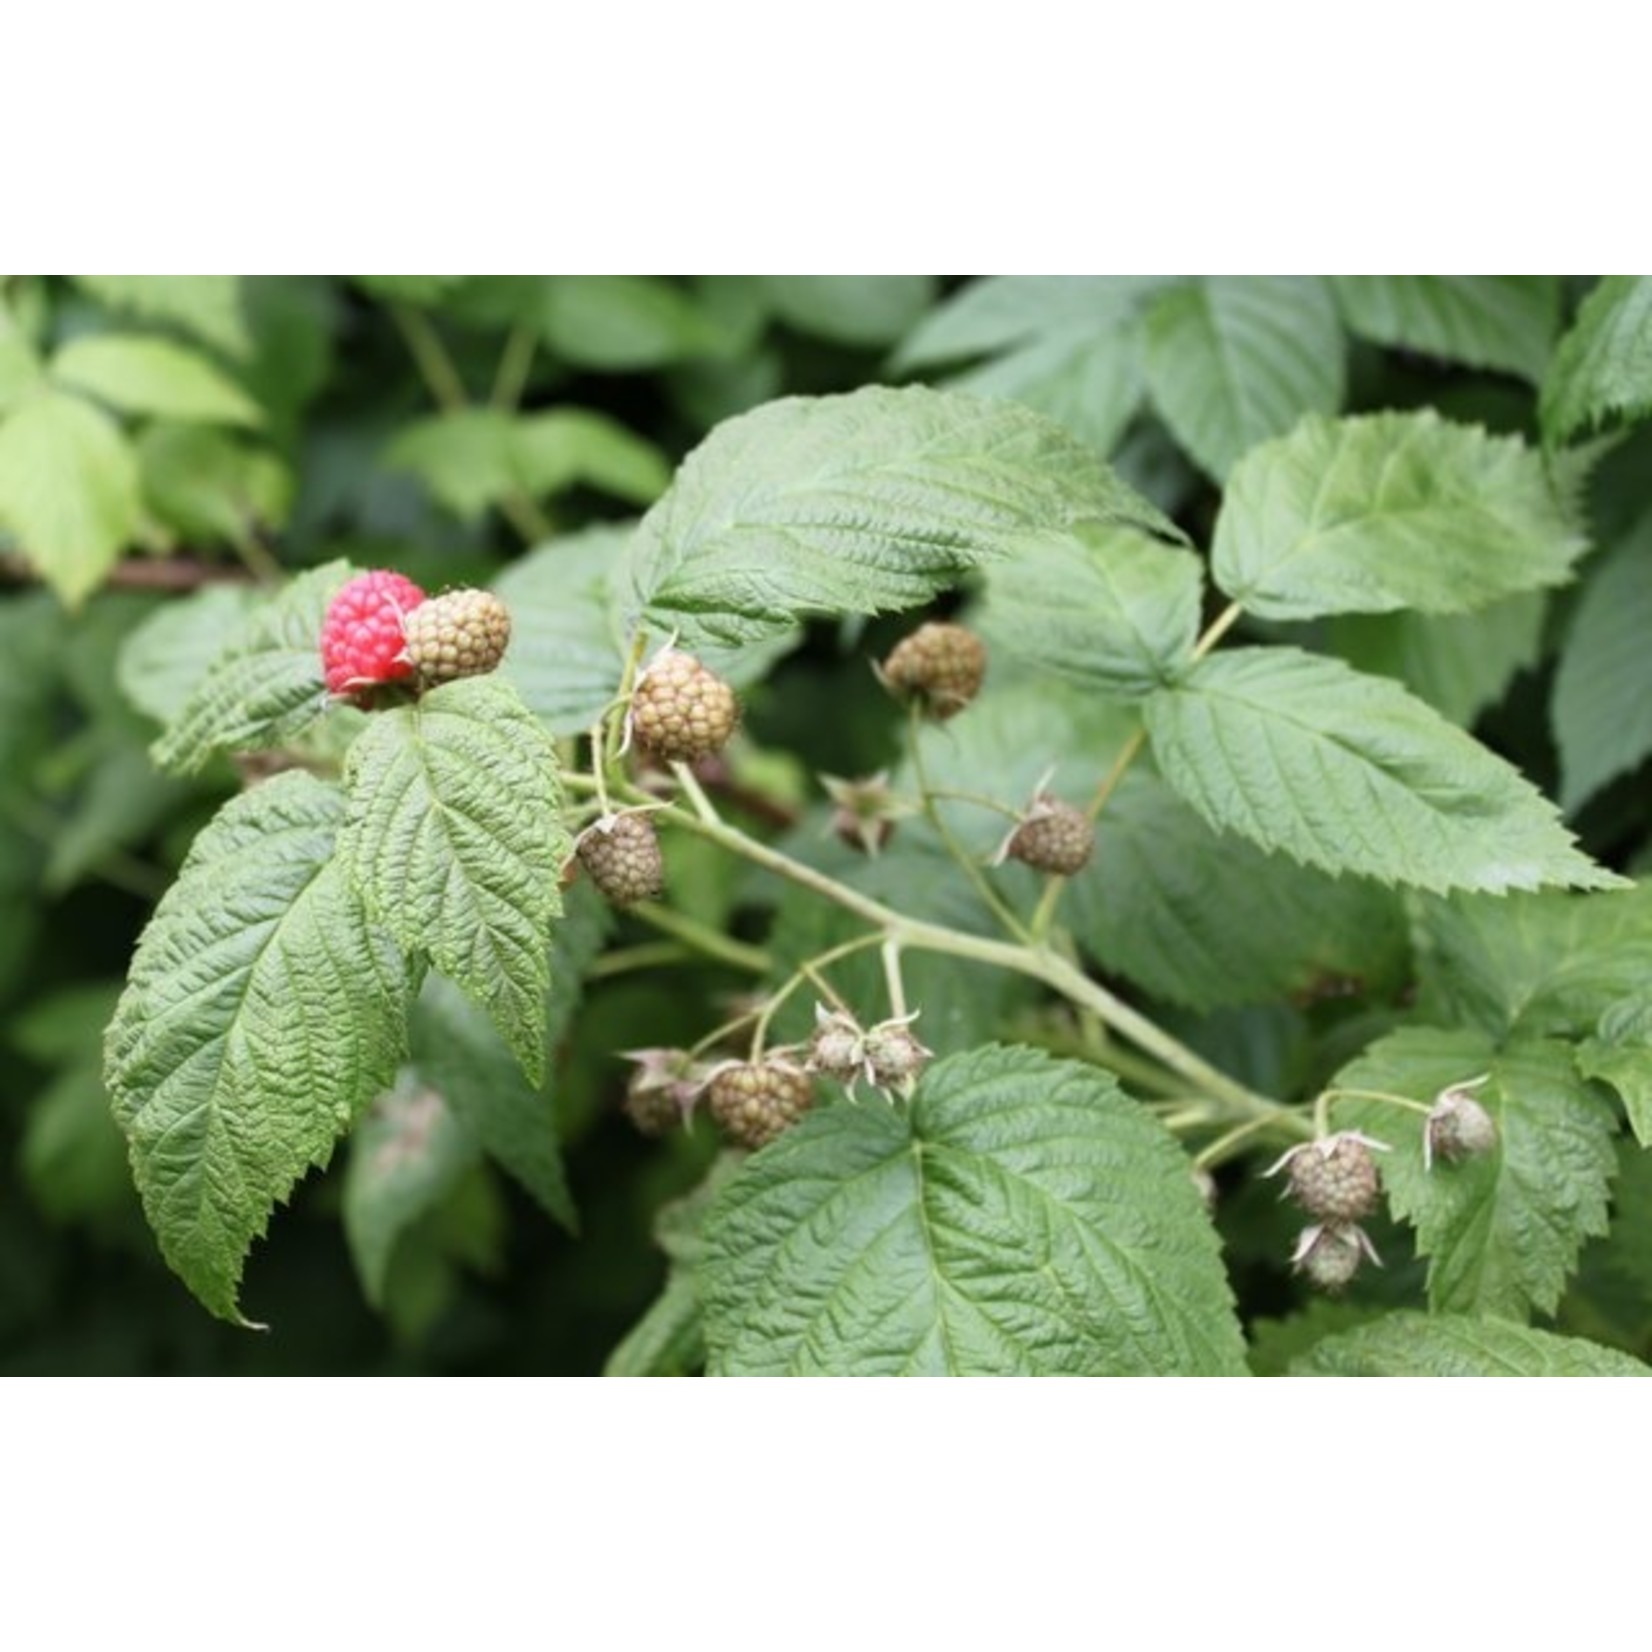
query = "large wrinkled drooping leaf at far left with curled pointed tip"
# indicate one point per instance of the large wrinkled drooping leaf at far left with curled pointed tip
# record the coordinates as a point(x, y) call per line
point(262, 1014)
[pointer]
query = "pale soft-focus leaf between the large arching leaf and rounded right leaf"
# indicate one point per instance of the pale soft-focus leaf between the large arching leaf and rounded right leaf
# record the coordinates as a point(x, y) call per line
point(1104, 605)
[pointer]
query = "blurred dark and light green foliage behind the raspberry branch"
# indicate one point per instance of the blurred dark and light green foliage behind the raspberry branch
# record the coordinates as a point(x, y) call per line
point(179, 439)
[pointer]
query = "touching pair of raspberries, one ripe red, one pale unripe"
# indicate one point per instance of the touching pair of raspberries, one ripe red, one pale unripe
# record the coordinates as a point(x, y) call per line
point(382, 629)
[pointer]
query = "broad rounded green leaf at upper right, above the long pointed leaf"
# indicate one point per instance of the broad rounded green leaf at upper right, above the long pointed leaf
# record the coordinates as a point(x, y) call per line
point(1389, 511)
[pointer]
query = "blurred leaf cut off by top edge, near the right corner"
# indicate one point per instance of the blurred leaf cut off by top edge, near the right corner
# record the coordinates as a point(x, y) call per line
point(1483, 321)
